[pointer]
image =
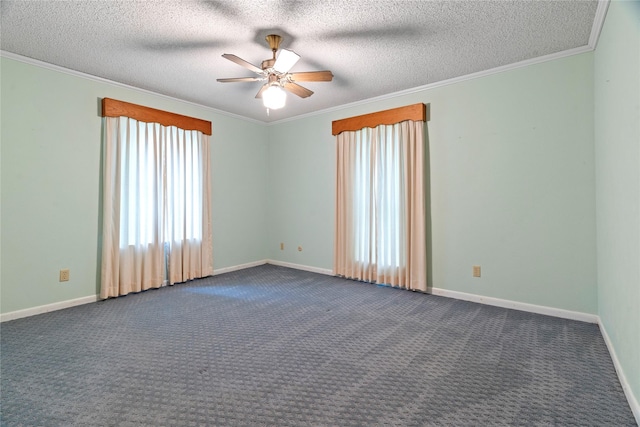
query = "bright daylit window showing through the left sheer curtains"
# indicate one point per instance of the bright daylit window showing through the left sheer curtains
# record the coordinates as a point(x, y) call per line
point(158, 154)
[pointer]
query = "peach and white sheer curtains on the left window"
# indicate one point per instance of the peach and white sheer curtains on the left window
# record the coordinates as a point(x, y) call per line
point(156, 206)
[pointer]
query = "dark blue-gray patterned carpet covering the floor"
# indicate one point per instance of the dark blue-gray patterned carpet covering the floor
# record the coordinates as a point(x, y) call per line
point(280, 347)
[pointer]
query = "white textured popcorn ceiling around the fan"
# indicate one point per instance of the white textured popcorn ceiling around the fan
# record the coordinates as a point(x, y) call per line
point(373, 48)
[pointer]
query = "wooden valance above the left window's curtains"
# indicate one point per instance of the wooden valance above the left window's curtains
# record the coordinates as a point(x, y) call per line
point(115, 108)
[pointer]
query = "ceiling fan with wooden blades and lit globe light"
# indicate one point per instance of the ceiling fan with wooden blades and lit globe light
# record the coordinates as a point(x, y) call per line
point(275, 72)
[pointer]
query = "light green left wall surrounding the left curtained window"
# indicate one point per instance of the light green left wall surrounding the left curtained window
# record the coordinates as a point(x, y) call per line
point(50, 183)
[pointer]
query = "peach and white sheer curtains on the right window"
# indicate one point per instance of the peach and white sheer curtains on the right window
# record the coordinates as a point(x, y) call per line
point(380, 206)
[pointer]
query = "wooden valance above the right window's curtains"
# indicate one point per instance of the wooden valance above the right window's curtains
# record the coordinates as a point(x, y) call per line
point(415, 112)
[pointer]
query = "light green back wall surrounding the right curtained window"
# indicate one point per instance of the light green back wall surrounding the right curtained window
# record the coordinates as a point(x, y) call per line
point(512, 184)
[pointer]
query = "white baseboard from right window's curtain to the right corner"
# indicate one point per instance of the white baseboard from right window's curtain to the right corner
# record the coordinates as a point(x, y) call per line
point(532, 308)
